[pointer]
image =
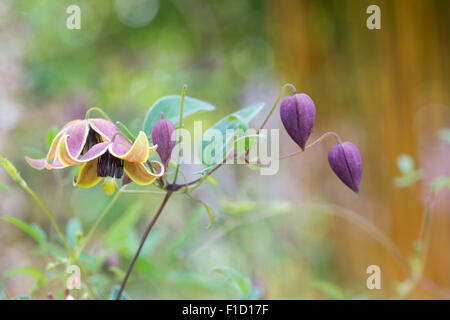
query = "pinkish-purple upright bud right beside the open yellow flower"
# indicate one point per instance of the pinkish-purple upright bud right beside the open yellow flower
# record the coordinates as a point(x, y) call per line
point(162, 136)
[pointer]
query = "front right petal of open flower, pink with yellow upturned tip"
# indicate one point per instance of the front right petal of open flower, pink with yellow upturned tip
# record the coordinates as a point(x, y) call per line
point(138, 152)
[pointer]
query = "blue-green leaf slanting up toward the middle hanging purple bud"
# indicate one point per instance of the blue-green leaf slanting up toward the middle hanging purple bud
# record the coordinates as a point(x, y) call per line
point(237, 123)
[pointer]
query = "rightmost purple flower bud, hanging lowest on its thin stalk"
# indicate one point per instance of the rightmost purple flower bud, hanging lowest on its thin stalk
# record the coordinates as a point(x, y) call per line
point(345, 160)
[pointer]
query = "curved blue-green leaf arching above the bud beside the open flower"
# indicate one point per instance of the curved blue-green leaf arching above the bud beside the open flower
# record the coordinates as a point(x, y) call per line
point(170, 105)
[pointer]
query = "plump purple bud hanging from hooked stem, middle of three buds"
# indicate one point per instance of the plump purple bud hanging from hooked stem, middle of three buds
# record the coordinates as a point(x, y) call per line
point(298, 114)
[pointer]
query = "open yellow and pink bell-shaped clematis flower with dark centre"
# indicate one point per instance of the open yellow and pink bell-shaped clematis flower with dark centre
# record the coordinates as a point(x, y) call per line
point(102, 153)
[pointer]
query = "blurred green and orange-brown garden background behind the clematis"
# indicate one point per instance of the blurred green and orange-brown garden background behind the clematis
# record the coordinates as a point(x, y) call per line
point(293, 235)
